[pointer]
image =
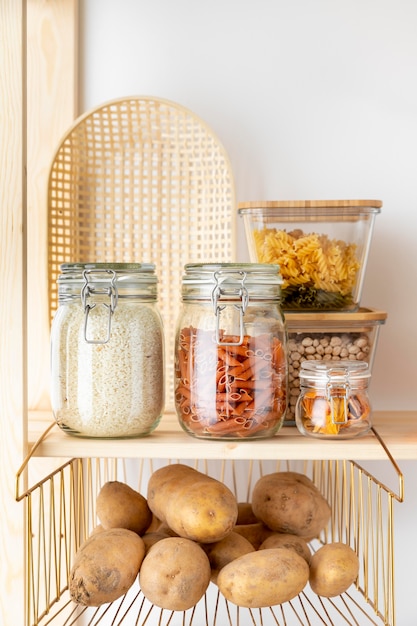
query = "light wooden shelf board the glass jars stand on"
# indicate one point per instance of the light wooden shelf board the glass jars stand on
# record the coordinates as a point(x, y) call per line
point(398, 430)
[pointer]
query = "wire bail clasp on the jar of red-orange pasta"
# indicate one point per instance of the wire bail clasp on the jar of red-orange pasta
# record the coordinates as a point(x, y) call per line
point(230, 284)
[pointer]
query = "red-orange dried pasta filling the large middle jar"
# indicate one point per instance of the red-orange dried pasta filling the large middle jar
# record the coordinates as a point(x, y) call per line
point(230, 390)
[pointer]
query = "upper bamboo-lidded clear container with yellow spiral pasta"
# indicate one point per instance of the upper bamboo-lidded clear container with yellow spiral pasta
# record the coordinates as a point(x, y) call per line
point(321, 247)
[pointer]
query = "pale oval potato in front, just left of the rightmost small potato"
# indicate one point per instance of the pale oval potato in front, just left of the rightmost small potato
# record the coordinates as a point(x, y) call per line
point(263, 578)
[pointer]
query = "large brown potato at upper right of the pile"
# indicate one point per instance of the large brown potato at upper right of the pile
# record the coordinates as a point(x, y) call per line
point(289, 502)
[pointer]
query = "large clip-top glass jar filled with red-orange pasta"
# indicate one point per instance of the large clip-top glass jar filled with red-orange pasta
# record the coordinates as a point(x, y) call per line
point(230, 352)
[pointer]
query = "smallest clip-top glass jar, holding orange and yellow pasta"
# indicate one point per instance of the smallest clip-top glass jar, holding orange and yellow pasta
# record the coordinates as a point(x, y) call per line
point(333, 400)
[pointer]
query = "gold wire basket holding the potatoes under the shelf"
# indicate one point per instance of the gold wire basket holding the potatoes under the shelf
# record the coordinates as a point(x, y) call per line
point(60, 514)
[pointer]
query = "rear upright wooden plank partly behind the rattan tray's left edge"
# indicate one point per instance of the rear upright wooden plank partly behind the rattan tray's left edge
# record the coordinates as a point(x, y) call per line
point(52, 106)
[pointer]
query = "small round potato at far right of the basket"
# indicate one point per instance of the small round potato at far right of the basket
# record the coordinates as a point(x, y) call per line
point(333, 568)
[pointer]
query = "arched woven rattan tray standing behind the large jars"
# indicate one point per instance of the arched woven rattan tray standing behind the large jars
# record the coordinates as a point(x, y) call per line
point(141, 180)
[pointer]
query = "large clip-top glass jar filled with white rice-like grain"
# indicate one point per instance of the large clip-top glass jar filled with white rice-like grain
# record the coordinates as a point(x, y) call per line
point(107, 350)
